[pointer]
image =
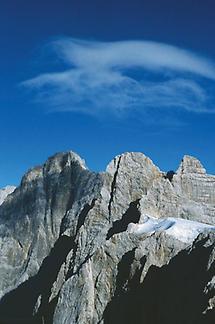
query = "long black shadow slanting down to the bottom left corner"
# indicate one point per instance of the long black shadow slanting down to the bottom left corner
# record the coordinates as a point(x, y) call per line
point(18, 305)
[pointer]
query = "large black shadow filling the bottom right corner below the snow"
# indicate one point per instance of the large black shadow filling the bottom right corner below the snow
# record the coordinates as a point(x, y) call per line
point(173, 293)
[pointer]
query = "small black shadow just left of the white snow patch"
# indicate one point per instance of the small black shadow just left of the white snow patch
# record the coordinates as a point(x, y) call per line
point(132, 215)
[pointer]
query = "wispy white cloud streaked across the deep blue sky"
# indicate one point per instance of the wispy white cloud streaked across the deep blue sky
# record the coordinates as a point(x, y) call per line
point(125, 77)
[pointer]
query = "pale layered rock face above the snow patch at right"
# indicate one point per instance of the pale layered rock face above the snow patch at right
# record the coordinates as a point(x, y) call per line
point(189, 194)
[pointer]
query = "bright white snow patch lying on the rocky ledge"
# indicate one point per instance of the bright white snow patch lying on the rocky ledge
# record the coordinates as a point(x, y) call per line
point(181, 229)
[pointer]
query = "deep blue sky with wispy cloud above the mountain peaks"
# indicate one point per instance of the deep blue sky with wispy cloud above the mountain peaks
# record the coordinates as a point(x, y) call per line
point(105, 77)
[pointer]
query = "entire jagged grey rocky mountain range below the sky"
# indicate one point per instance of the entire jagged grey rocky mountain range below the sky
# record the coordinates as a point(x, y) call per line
point(131, 245)
